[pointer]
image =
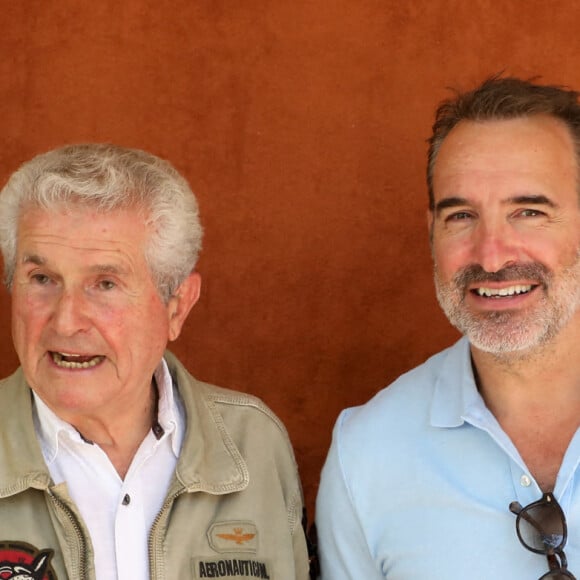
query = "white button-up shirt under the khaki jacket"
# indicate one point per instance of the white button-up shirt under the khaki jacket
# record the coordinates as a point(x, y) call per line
point(118, 513)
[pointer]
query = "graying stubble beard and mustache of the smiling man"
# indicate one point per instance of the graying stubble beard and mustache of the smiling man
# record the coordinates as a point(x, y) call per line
point(512, 331)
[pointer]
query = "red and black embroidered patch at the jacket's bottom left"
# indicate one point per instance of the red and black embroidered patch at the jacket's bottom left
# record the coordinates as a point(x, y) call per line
point(21, 561)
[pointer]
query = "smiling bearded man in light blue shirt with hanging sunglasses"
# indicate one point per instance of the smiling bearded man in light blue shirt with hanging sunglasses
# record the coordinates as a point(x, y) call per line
point(467, 466)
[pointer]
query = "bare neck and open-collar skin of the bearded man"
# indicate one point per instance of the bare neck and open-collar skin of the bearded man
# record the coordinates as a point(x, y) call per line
point(535, 396)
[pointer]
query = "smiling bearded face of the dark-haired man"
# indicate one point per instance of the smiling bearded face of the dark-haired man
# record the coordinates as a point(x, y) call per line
point(506, 231)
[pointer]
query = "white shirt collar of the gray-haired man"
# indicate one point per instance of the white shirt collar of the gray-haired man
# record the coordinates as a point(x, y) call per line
point(50, 428)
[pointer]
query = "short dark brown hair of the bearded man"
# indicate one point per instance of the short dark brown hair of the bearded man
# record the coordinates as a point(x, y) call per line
point(500, 98)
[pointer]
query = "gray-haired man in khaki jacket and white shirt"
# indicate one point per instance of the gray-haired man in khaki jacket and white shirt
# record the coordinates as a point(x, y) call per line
point(114, 461)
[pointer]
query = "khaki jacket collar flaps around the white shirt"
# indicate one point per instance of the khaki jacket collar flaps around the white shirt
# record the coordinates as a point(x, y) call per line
point(209, 460)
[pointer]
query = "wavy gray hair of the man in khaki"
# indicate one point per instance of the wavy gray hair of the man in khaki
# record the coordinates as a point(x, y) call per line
point(108, 177)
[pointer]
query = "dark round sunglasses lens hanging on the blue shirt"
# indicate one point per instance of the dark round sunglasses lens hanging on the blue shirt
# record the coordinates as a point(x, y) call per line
point(541, 528)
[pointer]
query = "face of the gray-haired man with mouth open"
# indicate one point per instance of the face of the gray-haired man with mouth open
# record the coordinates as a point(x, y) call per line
point(89, 326)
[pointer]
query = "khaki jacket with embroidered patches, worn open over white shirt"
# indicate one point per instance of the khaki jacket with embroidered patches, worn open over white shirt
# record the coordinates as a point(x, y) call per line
point(233, 509)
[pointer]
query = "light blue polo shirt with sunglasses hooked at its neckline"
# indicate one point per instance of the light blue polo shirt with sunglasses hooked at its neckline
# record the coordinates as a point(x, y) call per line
point(418, 482)
